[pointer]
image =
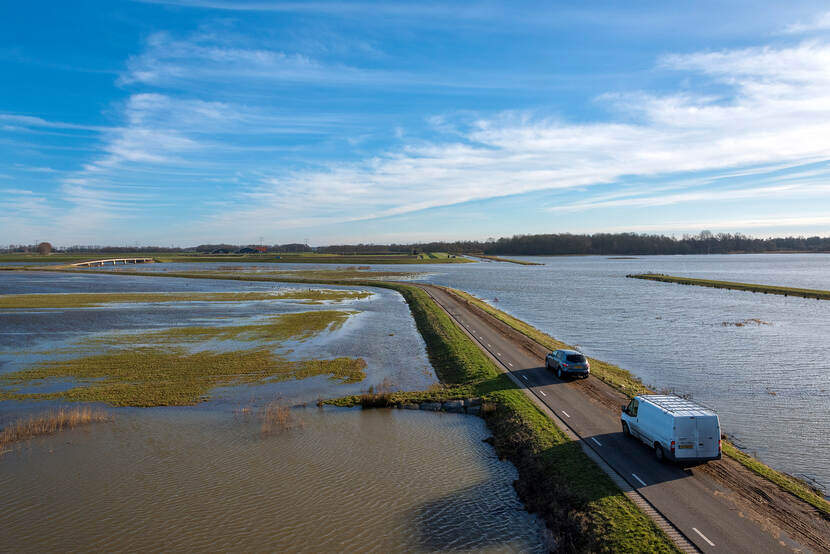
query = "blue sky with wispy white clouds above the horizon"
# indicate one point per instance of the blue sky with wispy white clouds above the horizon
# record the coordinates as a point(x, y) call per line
point(182, 122)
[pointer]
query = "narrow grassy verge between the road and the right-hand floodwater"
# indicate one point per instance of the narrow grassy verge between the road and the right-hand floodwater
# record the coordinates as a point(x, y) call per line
point(626, 383)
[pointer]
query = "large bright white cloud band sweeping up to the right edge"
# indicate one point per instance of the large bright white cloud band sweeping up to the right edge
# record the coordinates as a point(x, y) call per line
point(776, 113)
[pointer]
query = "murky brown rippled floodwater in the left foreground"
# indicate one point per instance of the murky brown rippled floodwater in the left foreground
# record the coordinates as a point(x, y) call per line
point(206, 480)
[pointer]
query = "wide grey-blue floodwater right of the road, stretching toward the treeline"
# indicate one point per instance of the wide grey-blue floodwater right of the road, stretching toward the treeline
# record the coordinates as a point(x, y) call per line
point(768, 378)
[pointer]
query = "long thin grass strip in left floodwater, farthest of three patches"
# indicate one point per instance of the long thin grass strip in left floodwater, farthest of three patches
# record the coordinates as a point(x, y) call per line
point(85, 300)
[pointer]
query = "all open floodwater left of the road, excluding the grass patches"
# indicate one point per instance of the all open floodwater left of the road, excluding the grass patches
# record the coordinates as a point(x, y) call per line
point(207, 477)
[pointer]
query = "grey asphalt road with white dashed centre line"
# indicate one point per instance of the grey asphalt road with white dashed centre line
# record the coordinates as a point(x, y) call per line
point(693, 503)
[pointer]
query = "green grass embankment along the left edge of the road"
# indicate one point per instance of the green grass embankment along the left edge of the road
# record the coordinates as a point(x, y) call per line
point(580, 504)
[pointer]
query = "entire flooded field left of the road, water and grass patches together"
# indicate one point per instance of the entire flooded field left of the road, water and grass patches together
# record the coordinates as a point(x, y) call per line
point(241, 470)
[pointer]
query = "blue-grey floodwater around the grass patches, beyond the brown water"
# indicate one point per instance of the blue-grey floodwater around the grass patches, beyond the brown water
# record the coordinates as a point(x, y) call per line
point(381, 331)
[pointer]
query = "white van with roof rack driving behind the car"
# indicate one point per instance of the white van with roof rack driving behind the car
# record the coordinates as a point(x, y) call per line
point(677, 429)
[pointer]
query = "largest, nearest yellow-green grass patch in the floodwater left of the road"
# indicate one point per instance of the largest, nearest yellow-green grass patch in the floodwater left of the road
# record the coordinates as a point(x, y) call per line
point(169, 377)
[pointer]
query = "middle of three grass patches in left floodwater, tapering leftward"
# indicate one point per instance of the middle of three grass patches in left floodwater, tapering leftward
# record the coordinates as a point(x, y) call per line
point(292, 326)
